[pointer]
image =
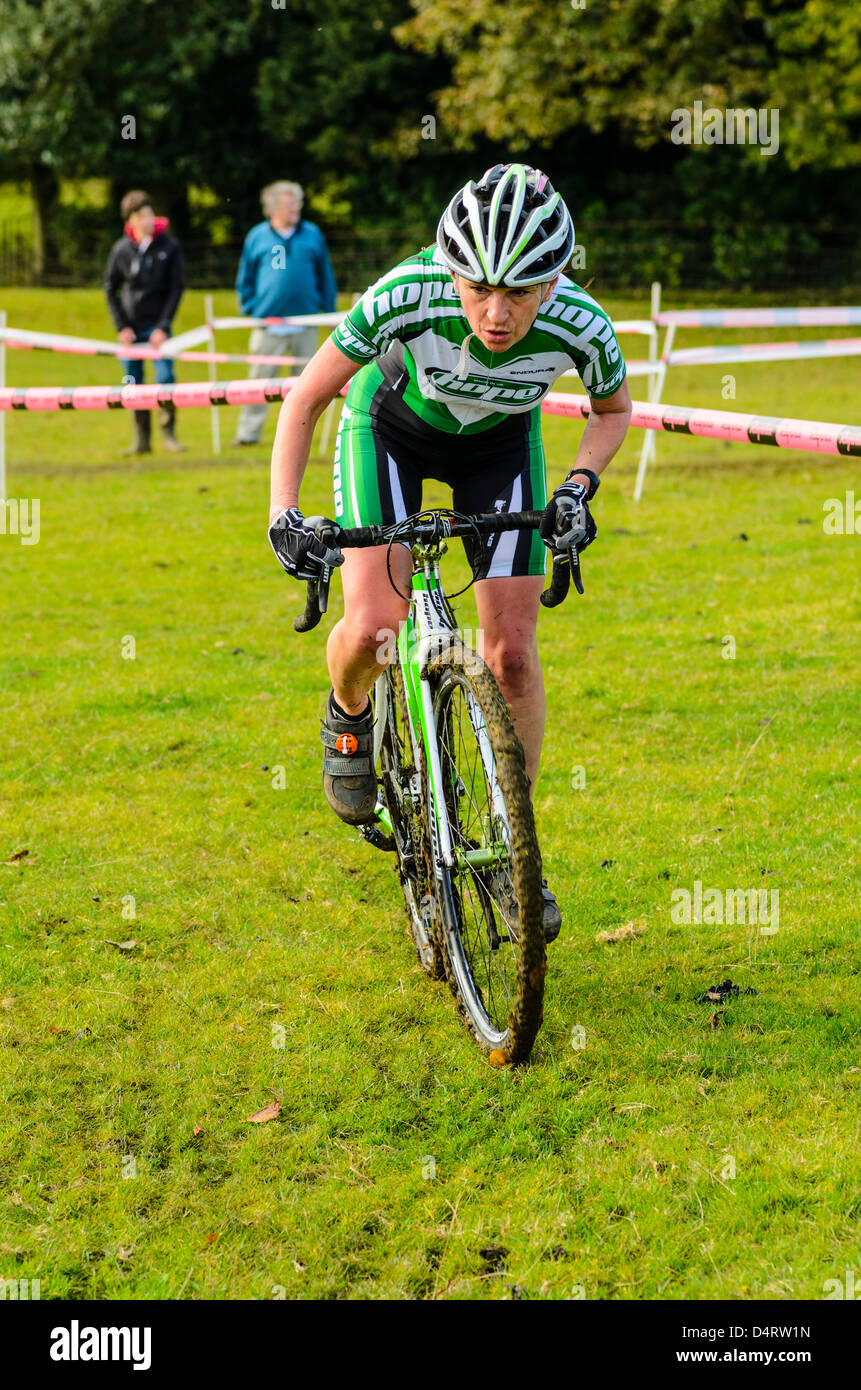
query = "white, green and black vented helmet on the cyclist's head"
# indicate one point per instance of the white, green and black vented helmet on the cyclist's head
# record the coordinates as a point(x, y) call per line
point(508, 229)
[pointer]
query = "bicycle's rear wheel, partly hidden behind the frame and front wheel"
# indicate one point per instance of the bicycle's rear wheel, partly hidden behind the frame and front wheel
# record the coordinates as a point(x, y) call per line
point(405, 794)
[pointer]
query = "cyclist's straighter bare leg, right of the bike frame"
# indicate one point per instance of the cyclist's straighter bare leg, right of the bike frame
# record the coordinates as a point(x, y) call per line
point(508, 616)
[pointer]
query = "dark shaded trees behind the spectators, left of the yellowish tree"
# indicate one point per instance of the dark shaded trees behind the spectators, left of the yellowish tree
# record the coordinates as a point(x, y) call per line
point(158, 95)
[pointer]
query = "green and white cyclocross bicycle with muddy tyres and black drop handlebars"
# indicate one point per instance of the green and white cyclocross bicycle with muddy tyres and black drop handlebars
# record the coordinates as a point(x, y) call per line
point(454, 800)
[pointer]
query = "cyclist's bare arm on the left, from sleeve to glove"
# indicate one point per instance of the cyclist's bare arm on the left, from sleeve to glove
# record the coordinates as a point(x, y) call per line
point(321, 383)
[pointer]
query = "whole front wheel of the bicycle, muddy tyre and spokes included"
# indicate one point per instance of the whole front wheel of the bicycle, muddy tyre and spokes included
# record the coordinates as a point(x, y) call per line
point(494, 951)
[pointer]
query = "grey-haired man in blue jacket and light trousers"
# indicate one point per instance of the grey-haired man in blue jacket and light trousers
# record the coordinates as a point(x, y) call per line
point(284, 272)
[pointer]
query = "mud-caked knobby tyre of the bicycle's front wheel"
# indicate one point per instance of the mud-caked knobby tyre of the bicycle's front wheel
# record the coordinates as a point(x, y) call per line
point(462, 667)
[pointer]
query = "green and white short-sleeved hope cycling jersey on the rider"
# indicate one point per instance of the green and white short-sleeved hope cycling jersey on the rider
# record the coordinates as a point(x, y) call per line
point(412, 329)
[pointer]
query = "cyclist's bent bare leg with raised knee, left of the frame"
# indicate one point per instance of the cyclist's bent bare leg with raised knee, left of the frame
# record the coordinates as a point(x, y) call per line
point(372, 614)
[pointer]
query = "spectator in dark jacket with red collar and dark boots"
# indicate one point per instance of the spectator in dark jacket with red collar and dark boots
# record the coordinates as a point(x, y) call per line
point(144, 286)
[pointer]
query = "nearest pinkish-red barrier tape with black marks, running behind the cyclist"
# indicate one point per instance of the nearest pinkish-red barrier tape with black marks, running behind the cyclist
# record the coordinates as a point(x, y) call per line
point(817, 436)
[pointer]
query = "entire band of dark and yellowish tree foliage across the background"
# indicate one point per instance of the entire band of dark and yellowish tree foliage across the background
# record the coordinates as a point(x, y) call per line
point(340, 95)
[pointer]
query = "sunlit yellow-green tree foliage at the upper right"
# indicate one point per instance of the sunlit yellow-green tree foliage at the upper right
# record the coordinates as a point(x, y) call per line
point(531, 73)
